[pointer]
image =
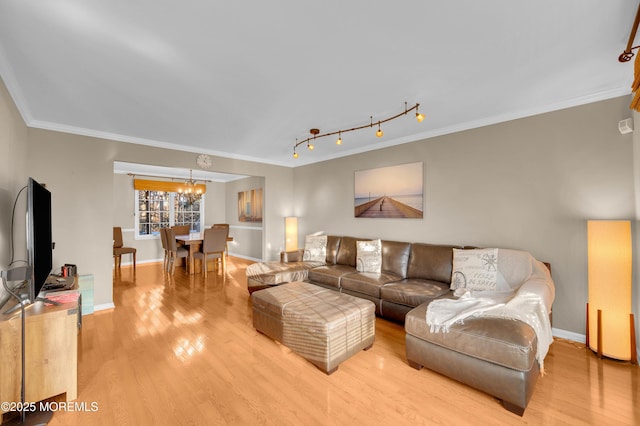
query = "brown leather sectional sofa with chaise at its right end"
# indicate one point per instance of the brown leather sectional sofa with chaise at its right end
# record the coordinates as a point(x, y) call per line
point(495, 355)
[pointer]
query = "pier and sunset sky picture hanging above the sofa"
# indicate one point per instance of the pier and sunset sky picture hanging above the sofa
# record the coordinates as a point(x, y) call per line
point(390, 192)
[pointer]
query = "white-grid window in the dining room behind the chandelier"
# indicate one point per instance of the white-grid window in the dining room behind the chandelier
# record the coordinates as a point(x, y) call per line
point(160, 209)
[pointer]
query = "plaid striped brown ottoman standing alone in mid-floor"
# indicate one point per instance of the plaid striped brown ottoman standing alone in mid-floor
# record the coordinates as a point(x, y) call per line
point(321, 325)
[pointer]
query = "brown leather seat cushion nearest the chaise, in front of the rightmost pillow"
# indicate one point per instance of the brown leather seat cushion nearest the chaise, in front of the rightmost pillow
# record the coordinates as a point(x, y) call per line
point(413, 291)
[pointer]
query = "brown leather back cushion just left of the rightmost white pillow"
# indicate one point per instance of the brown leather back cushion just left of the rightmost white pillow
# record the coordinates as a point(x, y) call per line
point(431, 262)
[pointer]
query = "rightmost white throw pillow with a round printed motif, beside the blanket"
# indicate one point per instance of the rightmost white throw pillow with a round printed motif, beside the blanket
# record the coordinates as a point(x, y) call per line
point(475, 269)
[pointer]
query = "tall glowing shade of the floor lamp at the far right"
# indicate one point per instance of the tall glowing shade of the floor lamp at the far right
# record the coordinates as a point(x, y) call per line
point(609, 258)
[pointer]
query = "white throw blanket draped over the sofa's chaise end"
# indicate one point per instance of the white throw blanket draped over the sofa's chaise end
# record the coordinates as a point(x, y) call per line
point(530, 304)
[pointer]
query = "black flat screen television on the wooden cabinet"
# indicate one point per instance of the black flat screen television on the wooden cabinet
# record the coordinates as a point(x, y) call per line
point(39, 239)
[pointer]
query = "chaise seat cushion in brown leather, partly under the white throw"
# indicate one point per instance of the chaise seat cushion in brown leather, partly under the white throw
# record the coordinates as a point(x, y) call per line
point(506, 342)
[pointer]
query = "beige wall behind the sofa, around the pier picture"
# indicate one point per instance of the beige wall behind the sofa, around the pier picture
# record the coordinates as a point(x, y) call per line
point(527, 184)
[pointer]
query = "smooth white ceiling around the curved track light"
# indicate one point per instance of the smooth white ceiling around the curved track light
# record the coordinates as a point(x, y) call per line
point(245, 79)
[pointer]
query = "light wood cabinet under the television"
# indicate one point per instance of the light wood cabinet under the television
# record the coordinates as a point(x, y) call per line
point(51, 352)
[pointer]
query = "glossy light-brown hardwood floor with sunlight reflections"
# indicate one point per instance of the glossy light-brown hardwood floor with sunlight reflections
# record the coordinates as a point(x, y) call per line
point(182, 350)
